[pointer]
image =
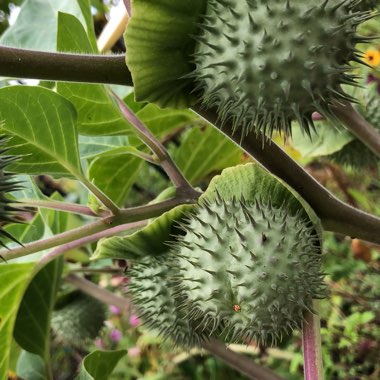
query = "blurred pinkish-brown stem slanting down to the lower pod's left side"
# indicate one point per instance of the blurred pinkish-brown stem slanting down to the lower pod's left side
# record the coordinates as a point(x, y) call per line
point(95, 291)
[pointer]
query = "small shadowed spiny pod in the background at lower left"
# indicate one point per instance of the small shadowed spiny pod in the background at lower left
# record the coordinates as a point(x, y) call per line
point(78, 321)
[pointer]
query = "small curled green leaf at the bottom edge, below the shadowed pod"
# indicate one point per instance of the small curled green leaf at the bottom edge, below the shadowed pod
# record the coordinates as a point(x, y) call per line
point(98, 365)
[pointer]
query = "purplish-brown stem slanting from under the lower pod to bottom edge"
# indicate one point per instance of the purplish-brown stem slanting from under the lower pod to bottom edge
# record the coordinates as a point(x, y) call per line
point(240, 362)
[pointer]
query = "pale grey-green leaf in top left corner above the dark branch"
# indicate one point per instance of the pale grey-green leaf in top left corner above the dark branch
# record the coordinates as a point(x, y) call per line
point(36, 24)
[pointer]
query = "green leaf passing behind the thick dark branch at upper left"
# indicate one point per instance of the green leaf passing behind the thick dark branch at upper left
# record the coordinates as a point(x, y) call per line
point(98, 114)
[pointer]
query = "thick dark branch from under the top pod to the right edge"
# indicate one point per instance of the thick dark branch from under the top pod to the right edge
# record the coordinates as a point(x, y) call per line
point(335, 215)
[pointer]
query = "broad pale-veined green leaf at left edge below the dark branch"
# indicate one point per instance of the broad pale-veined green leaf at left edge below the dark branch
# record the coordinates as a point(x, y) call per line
point(43, 129)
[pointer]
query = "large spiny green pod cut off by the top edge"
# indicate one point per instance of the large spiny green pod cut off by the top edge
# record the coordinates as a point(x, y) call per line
point(265, 63)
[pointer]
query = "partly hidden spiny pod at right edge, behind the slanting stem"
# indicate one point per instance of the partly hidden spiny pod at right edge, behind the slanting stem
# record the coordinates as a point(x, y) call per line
point(355, 154)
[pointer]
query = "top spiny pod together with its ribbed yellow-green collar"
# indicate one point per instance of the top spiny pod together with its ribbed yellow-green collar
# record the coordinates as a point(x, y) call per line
point(260, 63)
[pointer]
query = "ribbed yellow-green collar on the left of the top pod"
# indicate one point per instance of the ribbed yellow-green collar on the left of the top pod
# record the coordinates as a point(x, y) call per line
point(159, 44)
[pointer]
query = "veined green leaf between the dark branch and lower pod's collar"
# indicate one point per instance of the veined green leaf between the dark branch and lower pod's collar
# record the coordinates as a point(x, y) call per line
point(204, 150)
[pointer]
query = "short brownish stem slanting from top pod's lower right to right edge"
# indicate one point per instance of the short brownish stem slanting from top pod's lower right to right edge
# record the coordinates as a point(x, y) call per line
point(358, 126)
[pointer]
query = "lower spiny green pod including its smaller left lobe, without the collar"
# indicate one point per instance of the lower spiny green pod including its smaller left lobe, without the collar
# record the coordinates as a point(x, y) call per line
point(241, 271)
